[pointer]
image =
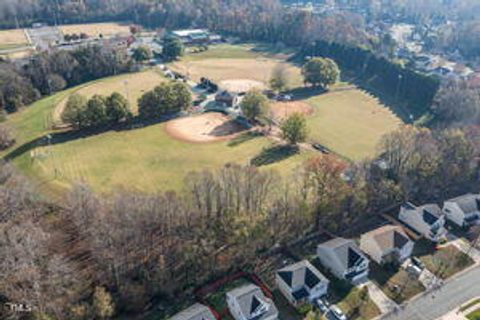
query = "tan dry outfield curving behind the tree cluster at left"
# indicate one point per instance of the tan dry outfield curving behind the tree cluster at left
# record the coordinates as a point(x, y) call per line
point(132, 86)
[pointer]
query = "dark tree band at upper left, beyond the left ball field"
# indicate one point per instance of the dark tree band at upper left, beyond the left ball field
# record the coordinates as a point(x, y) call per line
point(46, 73)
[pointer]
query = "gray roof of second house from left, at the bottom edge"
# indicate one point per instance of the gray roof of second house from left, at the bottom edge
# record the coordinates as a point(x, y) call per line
point(250, 298)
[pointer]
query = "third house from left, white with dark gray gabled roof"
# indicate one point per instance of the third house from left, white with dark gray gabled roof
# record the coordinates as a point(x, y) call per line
point(301, 282)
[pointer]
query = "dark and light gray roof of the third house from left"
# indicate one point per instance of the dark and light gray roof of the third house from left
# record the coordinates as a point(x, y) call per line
point(301, 274)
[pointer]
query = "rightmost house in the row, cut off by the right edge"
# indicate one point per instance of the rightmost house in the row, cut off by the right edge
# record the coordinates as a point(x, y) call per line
point(464, 211)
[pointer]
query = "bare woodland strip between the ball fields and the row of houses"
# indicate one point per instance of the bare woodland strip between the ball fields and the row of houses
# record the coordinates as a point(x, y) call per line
point(90, 256)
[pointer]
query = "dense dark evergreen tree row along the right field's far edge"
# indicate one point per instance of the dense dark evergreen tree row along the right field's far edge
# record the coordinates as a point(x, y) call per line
point(403, 84)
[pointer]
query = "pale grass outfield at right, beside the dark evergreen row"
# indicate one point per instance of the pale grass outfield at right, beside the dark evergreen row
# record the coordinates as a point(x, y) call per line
point(350, 122)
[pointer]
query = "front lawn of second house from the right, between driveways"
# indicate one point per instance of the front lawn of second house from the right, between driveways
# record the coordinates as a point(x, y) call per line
point(446, 261)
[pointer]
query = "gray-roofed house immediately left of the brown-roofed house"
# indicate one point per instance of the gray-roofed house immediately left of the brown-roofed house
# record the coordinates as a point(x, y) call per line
point(344, 259)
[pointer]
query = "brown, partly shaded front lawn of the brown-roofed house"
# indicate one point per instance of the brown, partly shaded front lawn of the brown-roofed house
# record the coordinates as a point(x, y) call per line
point(397, 284)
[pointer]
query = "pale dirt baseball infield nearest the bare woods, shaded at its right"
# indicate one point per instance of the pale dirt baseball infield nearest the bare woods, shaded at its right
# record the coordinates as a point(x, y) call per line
point(207, 127)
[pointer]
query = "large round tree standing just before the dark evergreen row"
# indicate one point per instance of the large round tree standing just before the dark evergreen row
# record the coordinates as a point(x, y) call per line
point(321, 72)
